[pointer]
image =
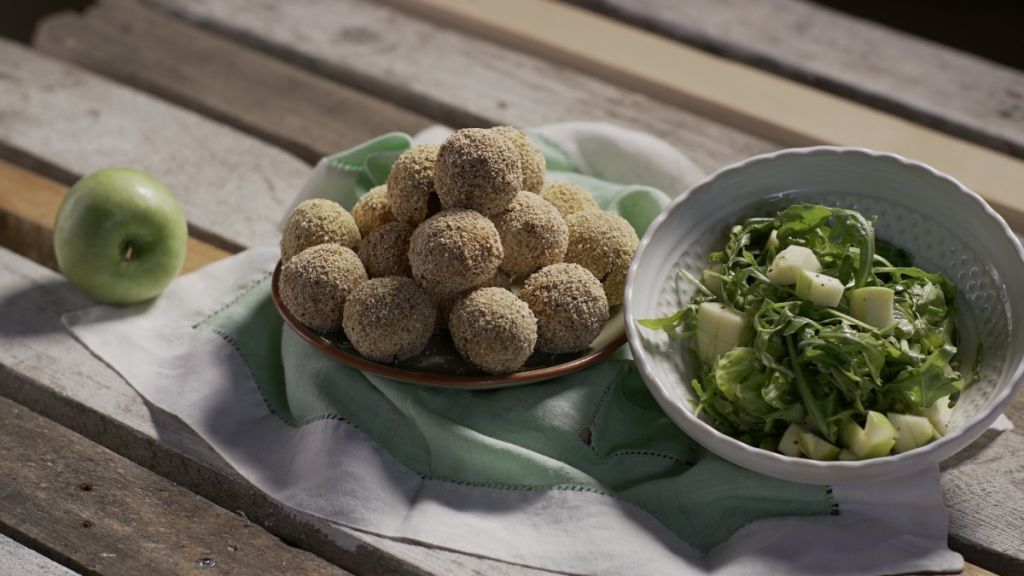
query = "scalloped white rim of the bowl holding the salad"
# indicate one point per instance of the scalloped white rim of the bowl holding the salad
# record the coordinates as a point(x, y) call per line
point(804, 470)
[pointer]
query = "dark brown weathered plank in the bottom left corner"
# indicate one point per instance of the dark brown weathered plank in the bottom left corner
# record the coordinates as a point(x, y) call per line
point(102, 514)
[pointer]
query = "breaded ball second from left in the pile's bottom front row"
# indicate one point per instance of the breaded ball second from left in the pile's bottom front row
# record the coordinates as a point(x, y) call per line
point(390, 319)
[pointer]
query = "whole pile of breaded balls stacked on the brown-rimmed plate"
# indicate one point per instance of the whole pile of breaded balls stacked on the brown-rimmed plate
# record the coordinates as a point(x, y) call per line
point(440, 249)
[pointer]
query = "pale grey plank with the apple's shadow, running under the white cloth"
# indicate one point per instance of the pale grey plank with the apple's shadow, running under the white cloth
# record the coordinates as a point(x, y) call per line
point(44, 368)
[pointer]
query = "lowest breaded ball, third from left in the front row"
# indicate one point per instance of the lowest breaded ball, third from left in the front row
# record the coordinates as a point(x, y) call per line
point(494, 331)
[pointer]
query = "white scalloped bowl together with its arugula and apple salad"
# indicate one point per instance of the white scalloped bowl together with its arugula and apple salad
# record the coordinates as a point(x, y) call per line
point(827, 315)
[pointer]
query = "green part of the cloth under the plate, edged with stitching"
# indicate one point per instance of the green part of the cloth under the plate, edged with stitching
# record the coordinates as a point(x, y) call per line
point(599, 430)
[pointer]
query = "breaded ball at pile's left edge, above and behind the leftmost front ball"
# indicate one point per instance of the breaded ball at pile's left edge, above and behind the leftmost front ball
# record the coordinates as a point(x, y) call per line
point(318, 222)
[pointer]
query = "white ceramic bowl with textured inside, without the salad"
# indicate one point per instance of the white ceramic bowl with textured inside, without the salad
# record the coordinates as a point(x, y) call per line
point(946, 227)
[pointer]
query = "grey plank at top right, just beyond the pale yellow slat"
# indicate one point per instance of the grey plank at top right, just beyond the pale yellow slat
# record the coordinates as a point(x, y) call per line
point(924, 81)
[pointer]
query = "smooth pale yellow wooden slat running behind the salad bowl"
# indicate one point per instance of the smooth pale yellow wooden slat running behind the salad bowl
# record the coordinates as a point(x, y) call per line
point(762, 104)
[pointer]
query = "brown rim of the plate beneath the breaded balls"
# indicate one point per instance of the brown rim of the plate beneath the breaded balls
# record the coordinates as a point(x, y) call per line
point(463, 382)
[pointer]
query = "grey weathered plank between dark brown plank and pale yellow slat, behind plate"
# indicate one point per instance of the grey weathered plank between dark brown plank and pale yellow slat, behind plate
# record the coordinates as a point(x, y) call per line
point(459, 80)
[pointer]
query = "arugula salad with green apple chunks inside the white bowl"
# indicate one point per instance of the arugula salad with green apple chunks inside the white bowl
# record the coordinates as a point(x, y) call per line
point(816, 340)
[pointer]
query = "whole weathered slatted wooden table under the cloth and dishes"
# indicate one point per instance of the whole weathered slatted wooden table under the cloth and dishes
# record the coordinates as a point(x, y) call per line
point(232, 101)
